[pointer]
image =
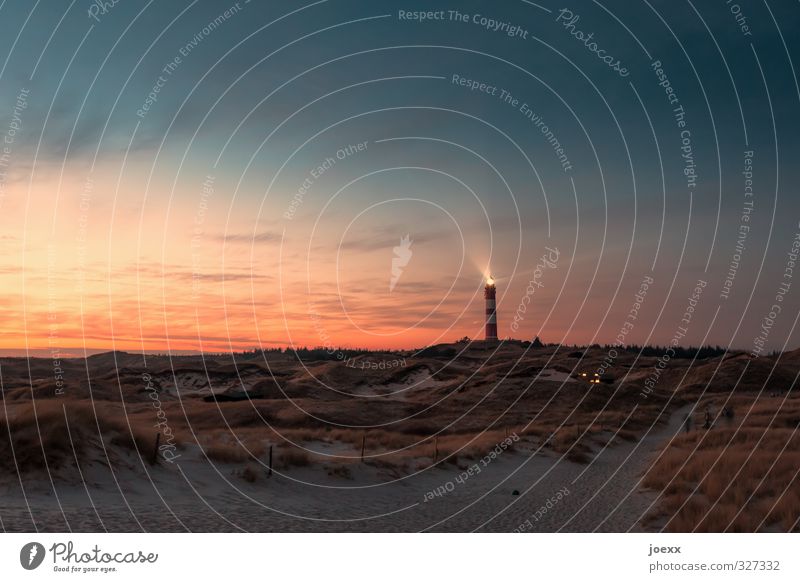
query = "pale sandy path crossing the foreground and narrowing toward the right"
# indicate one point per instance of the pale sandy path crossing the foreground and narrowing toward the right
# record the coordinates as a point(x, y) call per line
point(602, 496)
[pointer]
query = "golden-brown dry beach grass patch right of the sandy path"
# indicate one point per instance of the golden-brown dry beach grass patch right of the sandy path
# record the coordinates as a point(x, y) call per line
point(739, 476)
